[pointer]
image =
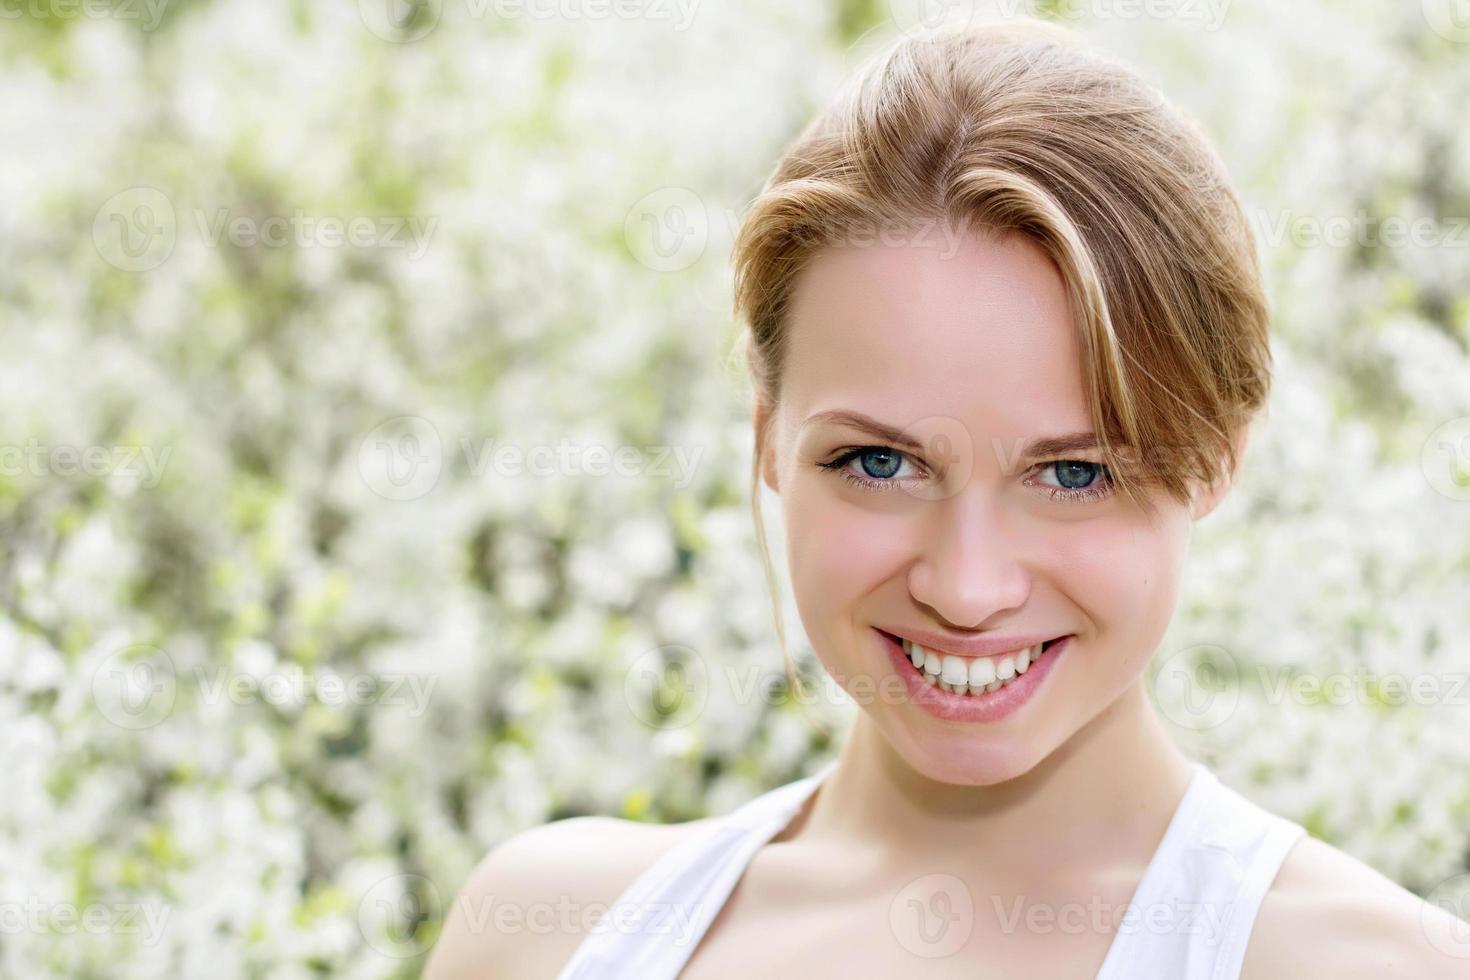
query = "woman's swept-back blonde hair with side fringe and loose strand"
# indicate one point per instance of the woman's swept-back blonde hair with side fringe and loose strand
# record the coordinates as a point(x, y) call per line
point(1015, 127)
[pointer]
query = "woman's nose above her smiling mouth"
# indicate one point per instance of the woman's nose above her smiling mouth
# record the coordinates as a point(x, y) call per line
point(968, 569)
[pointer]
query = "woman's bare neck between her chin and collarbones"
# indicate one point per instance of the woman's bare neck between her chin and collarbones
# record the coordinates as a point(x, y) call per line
point(1100, 801)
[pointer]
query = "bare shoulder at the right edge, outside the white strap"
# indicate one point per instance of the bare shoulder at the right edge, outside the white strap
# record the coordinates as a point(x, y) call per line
point(1331, 915)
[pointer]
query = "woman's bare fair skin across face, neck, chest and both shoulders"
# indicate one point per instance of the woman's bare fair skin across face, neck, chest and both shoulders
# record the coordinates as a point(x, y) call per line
point(1059, 804)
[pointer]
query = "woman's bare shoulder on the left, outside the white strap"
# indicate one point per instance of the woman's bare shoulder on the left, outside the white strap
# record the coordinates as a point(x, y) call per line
point(530, 903)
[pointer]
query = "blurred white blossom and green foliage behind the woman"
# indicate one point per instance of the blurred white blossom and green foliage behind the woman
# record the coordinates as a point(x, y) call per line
point(374, 468)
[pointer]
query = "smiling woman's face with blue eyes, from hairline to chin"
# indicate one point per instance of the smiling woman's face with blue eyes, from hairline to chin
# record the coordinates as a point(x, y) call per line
point(956, 533)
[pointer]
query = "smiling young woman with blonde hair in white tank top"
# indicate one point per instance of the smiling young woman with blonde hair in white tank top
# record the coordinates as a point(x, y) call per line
point(1008, 339)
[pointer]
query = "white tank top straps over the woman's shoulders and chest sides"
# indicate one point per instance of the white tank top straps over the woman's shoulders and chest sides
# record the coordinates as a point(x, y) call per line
point(1209, 875)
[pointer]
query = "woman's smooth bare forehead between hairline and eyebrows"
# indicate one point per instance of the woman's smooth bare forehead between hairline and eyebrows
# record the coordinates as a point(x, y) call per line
point(977, 328)
